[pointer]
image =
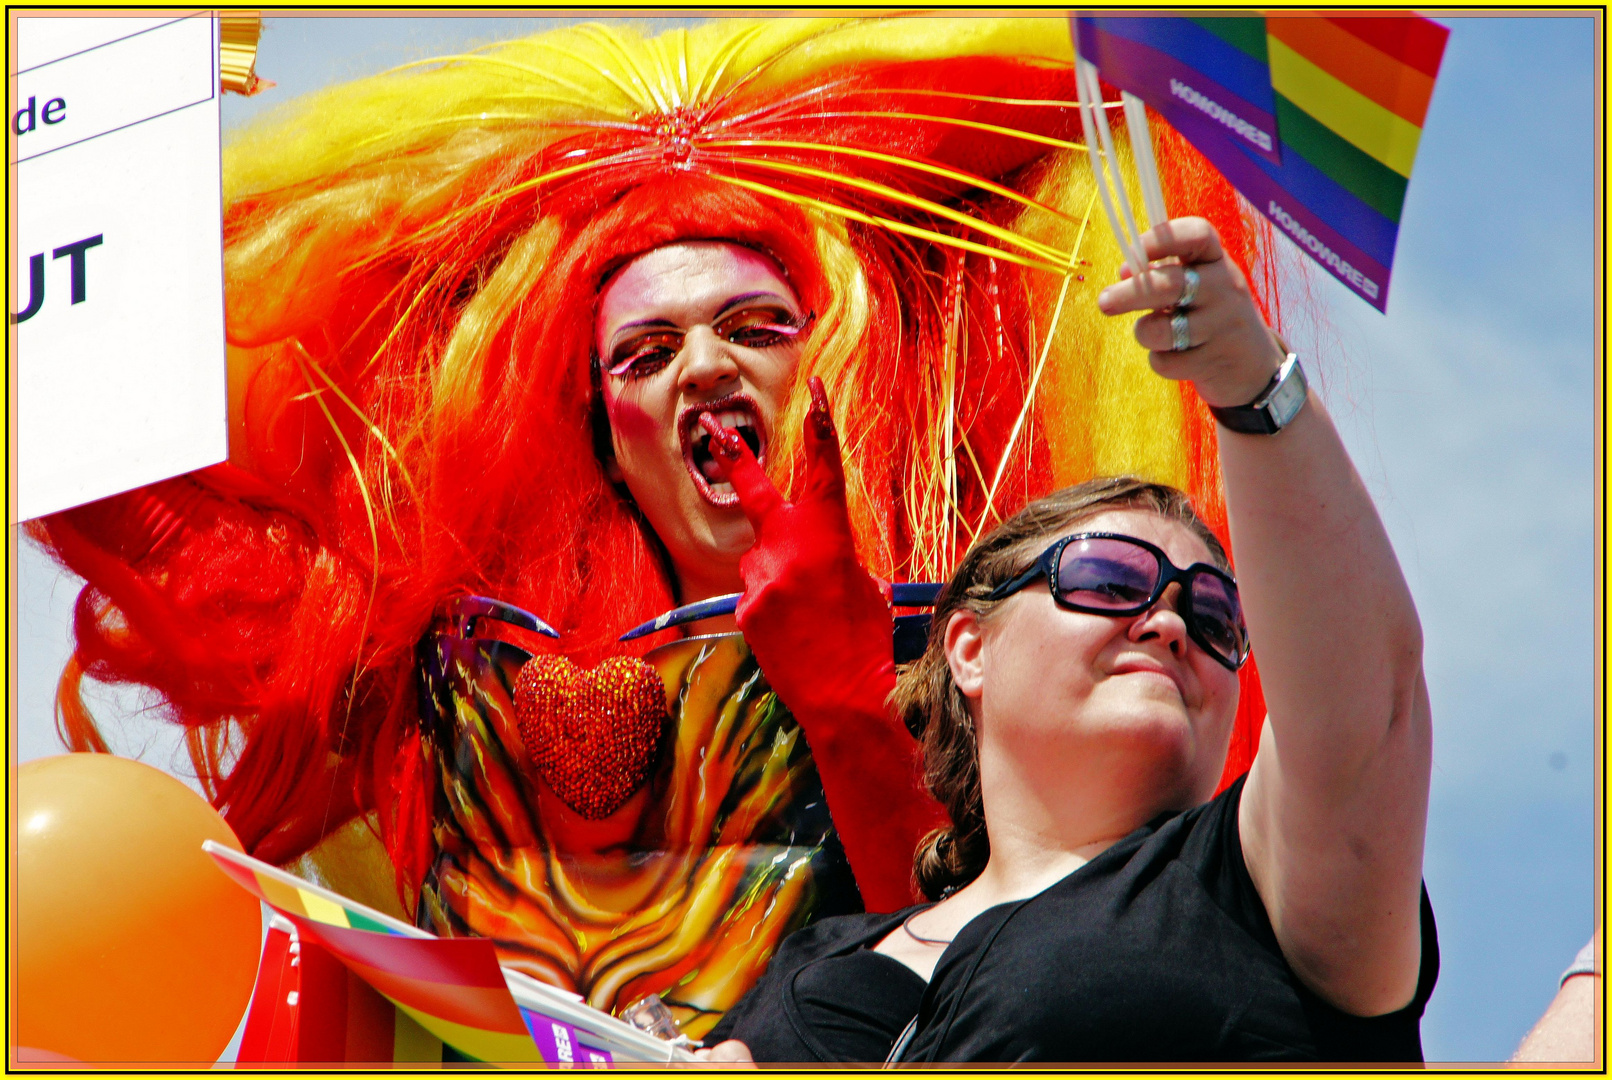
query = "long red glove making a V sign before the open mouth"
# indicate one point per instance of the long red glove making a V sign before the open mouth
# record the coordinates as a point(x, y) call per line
point(821, 631)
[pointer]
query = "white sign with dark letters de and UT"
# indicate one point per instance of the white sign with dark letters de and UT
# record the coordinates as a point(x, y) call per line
point(118, 297)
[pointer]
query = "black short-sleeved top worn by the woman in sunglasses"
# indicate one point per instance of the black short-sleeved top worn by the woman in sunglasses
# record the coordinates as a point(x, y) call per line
point(1157, 950)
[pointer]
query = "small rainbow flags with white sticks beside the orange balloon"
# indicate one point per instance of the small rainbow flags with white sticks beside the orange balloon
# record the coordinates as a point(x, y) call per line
point(446, 989)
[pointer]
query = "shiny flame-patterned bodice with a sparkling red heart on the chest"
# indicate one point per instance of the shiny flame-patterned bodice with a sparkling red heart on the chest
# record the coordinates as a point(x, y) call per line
point(733, 847)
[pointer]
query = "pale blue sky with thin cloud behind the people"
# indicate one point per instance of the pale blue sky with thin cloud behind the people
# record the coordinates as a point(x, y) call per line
point(1471, 413)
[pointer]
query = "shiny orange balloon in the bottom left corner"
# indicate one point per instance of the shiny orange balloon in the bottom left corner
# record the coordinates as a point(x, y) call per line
point(131, 945)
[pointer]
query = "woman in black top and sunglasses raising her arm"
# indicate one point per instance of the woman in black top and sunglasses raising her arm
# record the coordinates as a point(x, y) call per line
point(1095, 900)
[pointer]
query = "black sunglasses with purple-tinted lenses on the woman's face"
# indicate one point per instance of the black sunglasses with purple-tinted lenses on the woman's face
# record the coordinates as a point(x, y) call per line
point(1111, 575)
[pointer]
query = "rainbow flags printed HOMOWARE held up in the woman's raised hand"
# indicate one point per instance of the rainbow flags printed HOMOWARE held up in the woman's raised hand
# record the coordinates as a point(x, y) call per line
point(1350, 94)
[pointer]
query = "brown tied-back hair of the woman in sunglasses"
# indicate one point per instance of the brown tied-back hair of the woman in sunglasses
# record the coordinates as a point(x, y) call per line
point(928, 699)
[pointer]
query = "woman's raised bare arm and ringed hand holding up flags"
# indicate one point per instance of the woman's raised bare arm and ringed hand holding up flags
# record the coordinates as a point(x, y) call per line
point(1336, 807)
